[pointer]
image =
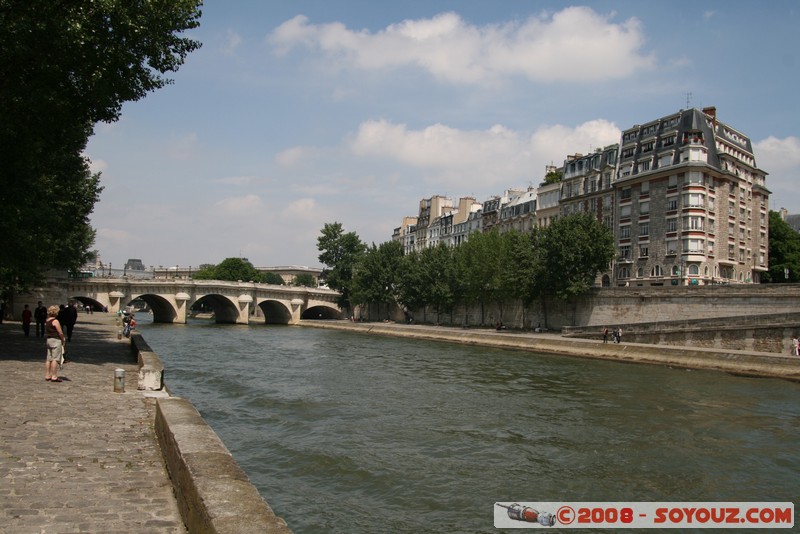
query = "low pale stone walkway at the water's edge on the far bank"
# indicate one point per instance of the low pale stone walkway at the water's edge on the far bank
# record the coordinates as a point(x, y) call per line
point(741, 362)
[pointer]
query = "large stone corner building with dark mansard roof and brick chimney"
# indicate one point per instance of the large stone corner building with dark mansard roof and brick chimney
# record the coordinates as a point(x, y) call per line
point(691, 206)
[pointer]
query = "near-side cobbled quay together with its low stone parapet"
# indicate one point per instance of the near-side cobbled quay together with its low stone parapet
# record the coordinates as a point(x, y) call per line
point(84, 455)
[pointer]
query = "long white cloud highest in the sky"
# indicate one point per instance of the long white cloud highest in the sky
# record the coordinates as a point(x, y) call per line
point(575, 44)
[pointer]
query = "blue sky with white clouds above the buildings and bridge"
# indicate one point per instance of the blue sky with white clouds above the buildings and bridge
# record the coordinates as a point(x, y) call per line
point(298, 113)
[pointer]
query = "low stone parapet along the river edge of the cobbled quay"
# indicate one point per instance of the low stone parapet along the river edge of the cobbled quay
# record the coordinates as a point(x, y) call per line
point(214, 495)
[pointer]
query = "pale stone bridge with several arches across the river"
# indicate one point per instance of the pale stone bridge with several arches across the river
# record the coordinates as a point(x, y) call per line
point(232, 302)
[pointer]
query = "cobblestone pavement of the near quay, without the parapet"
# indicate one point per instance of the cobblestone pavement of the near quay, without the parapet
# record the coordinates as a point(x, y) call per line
point(75, 456)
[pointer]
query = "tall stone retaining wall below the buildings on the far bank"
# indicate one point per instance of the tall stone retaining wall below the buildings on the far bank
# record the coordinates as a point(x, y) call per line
point(747, 317)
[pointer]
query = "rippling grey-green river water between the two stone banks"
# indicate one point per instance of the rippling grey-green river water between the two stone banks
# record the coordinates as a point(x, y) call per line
point(353, 433)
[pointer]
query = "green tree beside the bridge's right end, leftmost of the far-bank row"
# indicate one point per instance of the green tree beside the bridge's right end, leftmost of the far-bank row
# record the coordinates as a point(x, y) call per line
point(340, 252)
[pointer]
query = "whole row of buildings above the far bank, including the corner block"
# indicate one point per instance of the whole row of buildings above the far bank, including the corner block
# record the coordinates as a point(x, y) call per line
point(683, 194)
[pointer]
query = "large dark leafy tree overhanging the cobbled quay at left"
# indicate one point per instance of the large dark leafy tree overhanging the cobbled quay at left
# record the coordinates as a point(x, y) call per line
point(64, 66)
